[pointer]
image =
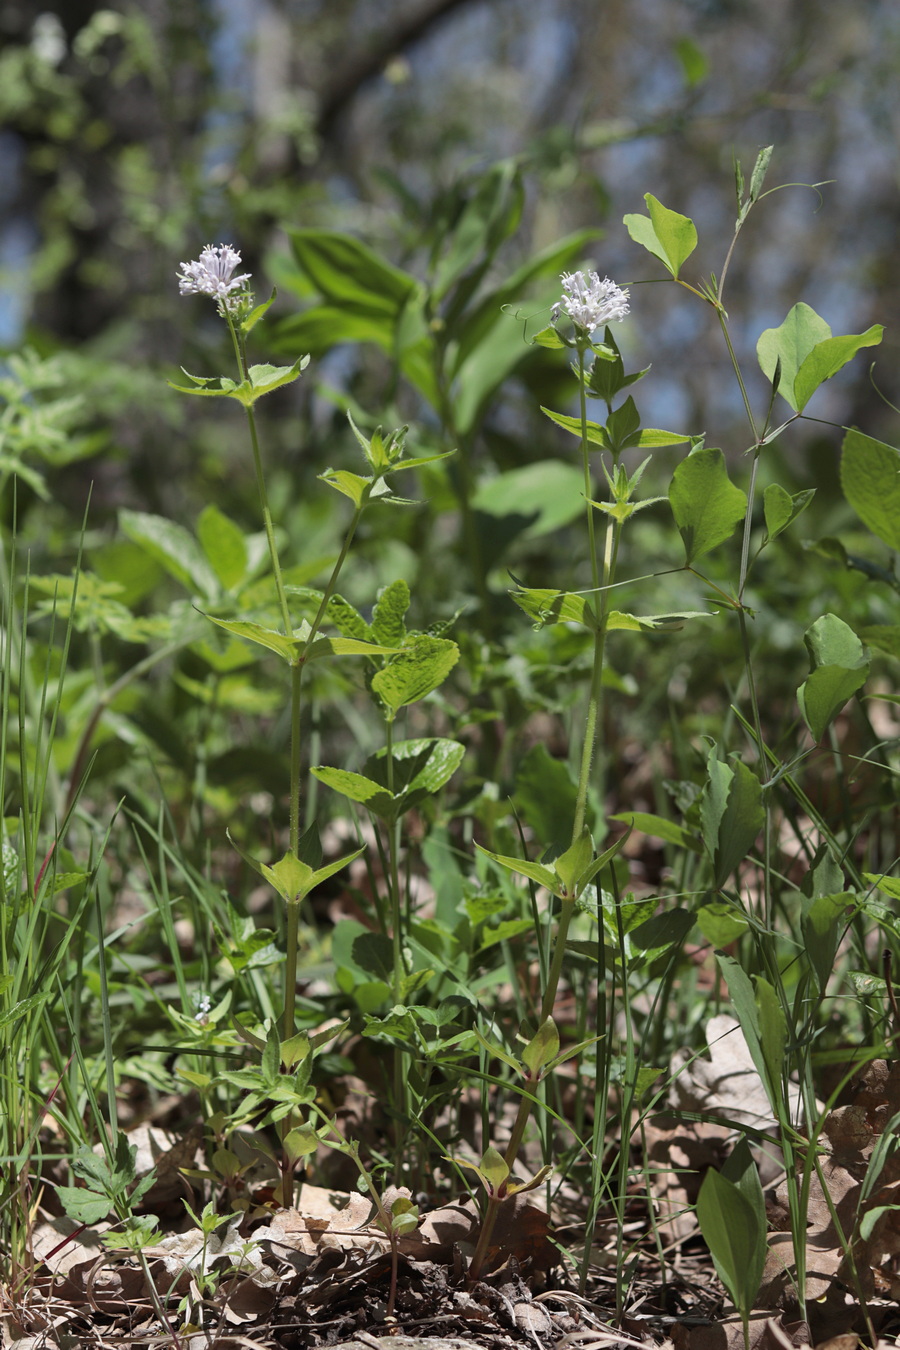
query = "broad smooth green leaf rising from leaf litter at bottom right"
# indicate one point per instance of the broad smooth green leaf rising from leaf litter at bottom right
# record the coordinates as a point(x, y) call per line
point(737, 1243)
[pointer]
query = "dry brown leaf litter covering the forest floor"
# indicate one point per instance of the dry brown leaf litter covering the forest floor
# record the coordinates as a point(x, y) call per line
point(319, 1275)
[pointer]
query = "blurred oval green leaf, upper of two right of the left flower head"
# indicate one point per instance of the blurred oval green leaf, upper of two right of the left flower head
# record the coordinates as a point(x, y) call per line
point(350, 275)
